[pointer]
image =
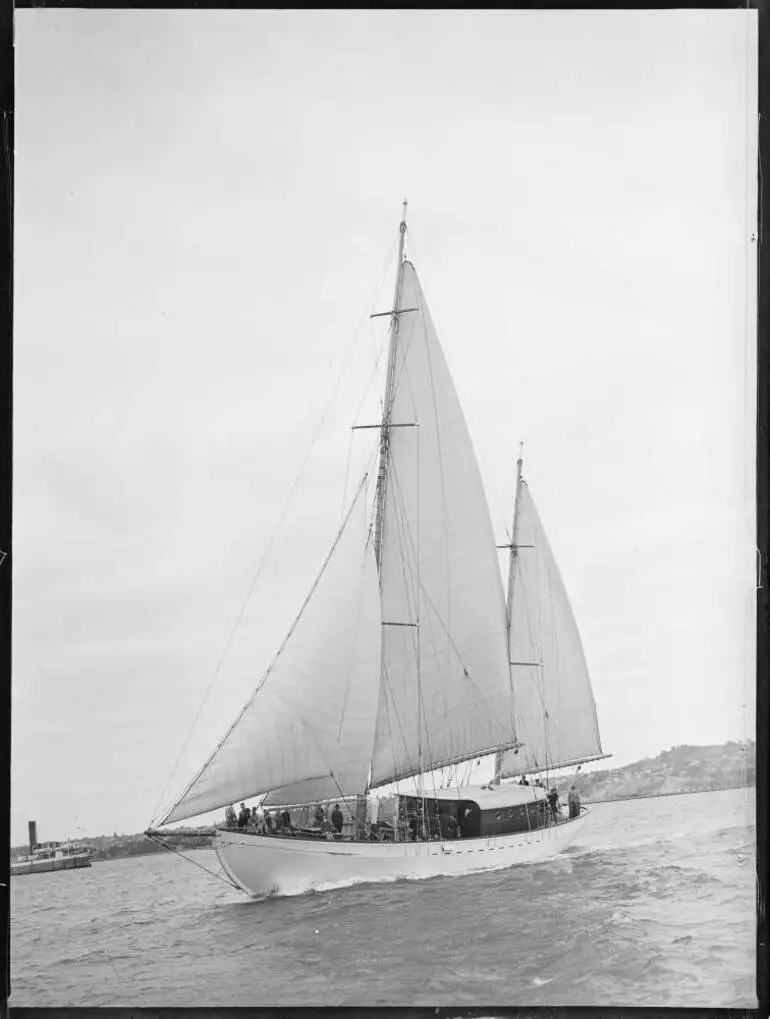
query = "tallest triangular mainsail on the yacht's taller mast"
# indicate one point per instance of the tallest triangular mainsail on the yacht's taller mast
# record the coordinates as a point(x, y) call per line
point(443, 598)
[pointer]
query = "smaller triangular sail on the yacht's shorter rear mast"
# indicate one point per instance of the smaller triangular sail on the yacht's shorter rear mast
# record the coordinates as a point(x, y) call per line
point(557, 718)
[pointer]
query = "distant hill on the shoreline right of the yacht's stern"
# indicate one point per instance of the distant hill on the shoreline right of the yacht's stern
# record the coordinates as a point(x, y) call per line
point(682, 770)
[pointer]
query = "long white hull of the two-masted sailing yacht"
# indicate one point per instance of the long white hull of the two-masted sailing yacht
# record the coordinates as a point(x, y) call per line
point(263, 866)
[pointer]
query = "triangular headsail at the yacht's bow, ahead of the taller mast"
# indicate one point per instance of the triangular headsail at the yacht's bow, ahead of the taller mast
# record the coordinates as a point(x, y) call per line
point(313, 716)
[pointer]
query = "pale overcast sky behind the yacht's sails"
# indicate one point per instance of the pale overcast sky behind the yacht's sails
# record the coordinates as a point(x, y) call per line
point(207, 208)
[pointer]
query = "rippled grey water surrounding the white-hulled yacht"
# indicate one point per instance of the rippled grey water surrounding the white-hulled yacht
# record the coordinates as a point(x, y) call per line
point(654, 906)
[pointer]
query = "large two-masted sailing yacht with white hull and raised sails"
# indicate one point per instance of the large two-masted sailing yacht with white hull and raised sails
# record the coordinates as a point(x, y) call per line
point(408, 659)
